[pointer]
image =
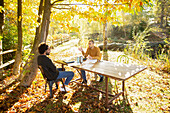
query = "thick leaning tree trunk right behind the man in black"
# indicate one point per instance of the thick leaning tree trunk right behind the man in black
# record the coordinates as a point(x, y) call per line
point(30, 69)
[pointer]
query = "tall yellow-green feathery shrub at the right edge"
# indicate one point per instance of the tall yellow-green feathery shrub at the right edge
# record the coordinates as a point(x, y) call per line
point(139, 50)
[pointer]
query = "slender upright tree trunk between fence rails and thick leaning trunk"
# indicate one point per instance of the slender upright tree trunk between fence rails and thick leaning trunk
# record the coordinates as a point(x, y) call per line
point(18, 57)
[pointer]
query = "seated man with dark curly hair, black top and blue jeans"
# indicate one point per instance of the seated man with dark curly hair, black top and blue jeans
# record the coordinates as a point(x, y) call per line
point(44, 61)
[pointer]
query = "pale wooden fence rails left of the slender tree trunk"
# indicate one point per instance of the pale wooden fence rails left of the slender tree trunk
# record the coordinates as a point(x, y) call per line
point(9, 62)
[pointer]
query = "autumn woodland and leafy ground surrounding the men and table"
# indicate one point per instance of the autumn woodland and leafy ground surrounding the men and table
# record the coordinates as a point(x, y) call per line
point(137, 29)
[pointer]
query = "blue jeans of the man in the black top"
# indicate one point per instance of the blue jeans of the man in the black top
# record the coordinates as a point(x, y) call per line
point(65, 74)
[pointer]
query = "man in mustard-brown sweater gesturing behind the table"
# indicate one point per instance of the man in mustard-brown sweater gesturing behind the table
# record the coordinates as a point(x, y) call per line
point(92, 52)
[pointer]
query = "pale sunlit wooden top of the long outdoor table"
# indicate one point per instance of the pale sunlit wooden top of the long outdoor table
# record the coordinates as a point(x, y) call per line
point(115, 70)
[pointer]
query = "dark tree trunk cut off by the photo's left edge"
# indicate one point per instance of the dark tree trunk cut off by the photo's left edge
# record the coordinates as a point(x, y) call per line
point(1, 34)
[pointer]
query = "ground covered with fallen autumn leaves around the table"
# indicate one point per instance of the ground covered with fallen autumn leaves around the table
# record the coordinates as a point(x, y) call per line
point(148, 91)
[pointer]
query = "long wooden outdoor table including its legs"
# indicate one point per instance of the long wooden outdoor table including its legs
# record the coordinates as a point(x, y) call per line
point(114, 70)
